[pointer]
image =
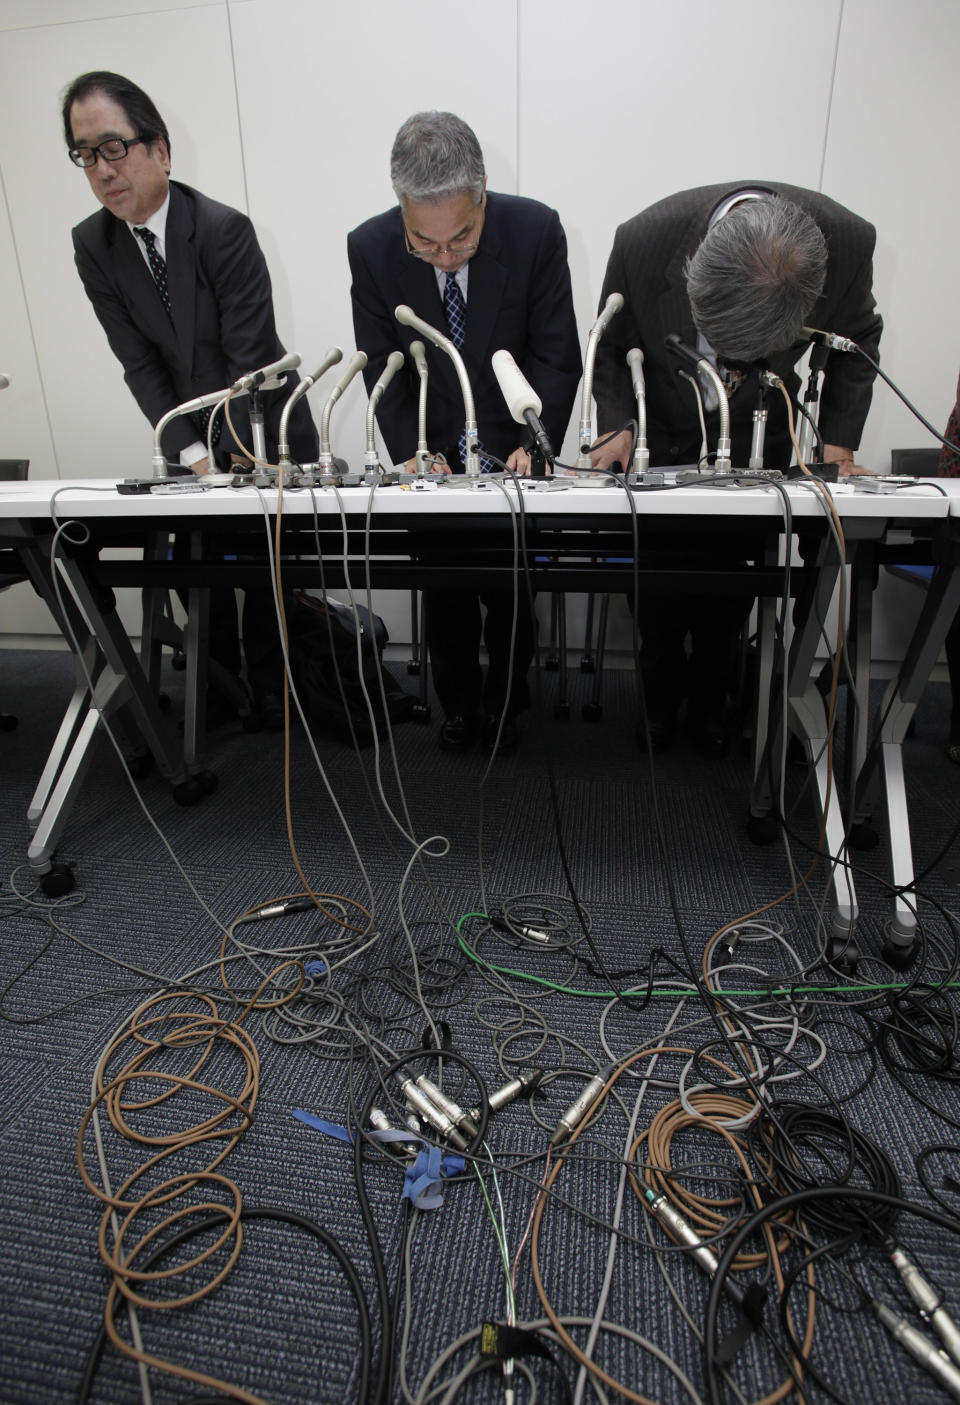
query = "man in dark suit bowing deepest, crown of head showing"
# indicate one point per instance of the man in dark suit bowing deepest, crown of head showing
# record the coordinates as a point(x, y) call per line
point(736, 272)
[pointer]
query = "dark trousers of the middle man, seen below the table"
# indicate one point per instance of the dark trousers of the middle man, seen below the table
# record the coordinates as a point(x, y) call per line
point(455, 634)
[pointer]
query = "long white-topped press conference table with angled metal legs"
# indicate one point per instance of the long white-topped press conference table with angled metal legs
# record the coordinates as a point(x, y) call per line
point(571, 537)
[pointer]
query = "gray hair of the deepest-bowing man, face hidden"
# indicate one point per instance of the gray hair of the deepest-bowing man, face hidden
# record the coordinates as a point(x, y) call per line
point(755, 279)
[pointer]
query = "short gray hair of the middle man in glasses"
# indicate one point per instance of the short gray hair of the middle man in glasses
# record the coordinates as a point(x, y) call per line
point(435, 158)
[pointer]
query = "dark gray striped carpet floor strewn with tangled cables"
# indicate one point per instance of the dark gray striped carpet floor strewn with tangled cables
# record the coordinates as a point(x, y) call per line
point(660, 861)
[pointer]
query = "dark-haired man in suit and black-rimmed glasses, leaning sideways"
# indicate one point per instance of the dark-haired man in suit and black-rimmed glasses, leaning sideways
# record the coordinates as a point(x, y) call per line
point(182, 290)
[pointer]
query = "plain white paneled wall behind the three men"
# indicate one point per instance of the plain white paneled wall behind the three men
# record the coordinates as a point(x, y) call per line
point(287, 109)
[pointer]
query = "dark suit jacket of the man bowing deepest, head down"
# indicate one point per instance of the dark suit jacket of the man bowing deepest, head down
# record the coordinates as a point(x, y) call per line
point(647, 268)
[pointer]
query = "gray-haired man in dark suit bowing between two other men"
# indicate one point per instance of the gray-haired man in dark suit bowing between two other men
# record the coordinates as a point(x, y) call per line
point(497, 268)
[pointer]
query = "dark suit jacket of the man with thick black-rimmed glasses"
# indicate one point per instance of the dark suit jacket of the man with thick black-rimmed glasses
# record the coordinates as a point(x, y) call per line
point(223, 317)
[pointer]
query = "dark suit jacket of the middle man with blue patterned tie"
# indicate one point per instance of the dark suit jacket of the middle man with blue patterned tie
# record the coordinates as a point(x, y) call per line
point(519, 297)
